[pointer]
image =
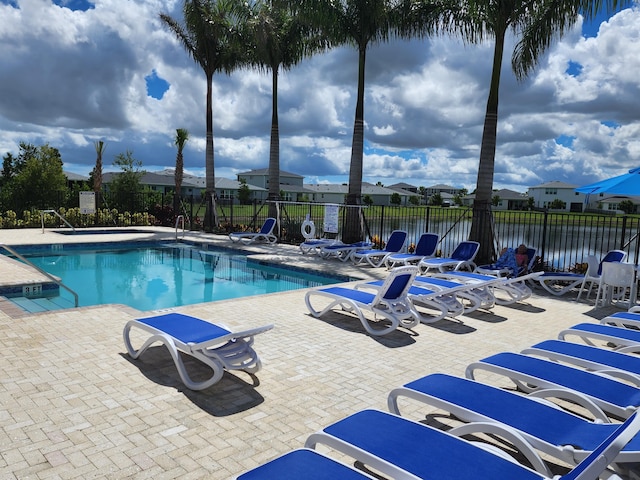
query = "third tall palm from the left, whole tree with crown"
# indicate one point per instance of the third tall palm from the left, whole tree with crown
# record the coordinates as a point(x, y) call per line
point(360, 23)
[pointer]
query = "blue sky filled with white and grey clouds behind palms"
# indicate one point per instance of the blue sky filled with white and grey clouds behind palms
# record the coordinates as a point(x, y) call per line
point(73, 72)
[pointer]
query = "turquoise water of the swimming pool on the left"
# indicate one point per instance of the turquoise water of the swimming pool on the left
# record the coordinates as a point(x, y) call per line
point(155, 276)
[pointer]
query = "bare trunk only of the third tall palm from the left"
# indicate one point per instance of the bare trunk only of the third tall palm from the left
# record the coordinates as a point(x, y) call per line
point(352, 231)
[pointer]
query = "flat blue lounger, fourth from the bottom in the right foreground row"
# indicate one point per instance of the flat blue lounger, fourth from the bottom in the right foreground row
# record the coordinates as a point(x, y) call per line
point(533, 374)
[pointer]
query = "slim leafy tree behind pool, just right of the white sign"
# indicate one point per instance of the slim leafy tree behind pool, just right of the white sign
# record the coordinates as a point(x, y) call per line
point(126, 185)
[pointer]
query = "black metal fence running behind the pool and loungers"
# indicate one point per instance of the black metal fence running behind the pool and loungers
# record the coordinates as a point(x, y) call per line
point(563, 240)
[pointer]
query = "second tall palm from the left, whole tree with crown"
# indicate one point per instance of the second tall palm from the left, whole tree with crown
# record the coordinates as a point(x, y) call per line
point(280, 41)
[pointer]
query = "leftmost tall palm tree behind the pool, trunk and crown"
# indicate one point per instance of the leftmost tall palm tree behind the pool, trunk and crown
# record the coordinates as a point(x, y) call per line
point(211, 36)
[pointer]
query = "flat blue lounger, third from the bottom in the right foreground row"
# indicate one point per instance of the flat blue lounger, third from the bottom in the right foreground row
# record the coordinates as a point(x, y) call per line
point(510, 415)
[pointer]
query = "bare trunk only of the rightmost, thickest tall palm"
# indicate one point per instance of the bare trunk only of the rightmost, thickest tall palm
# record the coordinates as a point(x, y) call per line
point(482, 221)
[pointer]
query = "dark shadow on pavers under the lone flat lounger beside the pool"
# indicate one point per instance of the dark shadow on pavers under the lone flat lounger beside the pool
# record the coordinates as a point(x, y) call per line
point(230, 395)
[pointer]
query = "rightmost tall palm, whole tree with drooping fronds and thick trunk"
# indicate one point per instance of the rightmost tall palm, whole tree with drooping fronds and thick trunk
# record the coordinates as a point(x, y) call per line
point(536, 24)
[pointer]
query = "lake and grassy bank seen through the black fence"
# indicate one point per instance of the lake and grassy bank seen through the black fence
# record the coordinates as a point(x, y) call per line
point(561, 239)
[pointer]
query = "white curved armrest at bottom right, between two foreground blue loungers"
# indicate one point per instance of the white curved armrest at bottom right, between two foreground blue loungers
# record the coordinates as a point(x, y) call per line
point(510, 435)
